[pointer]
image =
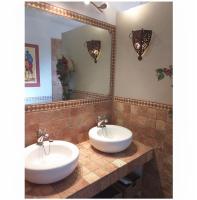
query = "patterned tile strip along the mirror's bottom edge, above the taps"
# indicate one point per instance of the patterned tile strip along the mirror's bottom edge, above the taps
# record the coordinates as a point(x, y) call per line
point(64, 104)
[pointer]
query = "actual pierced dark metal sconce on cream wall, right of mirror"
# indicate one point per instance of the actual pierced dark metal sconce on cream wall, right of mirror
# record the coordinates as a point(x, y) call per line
point(141, 39)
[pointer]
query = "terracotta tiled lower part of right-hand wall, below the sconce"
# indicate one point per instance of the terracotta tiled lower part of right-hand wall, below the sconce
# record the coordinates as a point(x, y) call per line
point(151, 125)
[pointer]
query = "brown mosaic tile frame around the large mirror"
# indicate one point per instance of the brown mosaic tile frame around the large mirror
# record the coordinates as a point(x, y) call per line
point(87, 20)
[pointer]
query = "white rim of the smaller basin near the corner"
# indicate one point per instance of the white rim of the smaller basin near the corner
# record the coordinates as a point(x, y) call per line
point(95, 136)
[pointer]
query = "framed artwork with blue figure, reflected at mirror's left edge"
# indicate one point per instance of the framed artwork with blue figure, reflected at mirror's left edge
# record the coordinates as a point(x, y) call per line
point(32, 70)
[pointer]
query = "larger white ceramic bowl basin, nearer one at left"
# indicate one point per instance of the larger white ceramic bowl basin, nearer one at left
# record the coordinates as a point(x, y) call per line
point(58, 164)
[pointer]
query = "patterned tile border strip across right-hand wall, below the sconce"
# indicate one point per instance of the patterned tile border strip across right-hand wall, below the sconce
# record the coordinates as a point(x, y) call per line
point(137, 102)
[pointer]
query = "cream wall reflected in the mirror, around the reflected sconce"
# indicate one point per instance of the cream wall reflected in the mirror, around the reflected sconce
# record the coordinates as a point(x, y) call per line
point(89, 76)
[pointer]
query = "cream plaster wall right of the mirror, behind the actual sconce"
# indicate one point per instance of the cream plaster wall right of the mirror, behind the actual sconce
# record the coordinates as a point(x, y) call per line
point(137, 79)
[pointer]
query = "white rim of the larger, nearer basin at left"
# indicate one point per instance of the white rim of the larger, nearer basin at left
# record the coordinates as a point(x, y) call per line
point(34, 147)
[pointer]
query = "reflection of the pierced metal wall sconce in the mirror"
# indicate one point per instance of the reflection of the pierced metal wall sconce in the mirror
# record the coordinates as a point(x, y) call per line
point(94, 48)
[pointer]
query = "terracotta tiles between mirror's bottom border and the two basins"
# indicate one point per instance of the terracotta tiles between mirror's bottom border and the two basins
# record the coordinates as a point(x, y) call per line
point(70, 123)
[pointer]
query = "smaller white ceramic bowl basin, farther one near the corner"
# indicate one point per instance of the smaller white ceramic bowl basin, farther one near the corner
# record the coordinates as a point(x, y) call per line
point(110, 139)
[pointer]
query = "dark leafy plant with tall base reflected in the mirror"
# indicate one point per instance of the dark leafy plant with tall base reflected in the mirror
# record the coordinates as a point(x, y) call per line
point(64, 70)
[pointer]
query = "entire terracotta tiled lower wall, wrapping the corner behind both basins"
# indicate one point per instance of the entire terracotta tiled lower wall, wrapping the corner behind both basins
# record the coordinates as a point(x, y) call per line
point(150, 123)
